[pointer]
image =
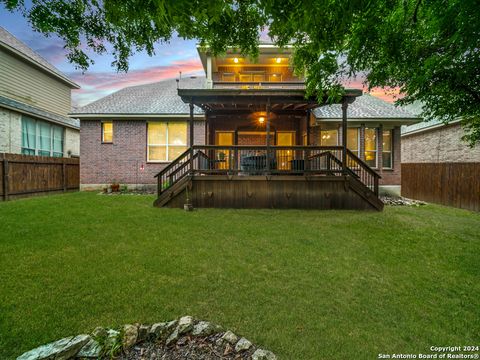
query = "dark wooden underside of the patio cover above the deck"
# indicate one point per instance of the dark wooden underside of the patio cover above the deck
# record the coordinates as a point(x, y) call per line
point(253, 100)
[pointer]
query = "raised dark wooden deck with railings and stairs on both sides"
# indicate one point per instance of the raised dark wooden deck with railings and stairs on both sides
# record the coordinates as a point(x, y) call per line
point(295, 177)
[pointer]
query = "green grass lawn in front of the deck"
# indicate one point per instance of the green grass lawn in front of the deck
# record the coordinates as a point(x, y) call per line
point(305, 284)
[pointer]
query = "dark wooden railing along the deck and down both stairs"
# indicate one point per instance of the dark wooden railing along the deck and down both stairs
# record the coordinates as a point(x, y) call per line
point(263, 160)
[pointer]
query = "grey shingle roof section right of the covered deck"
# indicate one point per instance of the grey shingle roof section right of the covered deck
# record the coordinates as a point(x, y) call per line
point(364, 107)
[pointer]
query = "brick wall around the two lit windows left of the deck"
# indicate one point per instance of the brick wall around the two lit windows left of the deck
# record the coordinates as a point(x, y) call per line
point(121, 161)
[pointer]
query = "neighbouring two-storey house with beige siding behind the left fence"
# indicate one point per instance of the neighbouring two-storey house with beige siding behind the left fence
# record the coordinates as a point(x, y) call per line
point(35, 100)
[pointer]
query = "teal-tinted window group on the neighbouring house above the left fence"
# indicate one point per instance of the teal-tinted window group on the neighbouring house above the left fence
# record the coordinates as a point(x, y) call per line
point(41, 138)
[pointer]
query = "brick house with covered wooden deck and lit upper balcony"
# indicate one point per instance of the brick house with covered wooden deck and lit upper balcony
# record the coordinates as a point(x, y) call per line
point(246, 120)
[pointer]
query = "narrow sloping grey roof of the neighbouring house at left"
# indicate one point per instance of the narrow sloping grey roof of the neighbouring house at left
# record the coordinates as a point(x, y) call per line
point(10, 42)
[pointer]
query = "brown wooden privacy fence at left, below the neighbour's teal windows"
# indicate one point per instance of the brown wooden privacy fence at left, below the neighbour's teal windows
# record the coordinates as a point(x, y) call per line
point(24, 175)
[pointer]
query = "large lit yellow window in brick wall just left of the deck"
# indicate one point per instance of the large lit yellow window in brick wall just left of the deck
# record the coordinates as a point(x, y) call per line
point(166, 141)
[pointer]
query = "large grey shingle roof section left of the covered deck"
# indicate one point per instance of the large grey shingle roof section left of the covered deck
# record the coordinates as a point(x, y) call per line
point(156, 98)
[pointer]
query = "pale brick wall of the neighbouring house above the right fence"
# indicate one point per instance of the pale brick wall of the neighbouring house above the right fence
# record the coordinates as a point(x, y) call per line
point(442, 144)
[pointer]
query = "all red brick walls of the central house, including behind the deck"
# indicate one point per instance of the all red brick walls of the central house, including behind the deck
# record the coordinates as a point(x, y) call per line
point(125, 160)
